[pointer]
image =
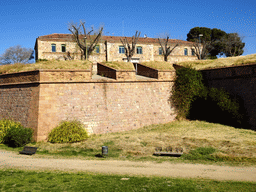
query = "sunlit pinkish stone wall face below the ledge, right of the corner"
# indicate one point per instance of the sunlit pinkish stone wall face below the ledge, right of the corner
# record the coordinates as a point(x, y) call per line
point(104, 107)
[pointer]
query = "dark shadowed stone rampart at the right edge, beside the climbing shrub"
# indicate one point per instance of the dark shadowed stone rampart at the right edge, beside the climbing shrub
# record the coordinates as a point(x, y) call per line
point(239, 81)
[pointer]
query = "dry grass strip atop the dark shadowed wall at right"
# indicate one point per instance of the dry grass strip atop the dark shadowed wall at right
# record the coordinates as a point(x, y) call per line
point(222, 62)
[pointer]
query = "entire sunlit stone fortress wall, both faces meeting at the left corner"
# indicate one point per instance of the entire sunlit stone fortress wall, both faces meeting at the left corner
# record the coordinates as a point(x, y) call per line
point(41, 99)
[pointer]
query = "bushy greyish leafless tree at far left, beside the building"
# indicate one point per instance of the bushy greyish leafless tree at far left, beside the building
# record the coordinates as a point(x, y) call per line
point(16, 54)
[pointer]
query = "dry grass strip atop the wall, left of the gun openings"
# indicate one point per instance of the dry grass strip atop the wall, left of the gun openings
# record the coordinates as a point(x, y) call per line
point(52, 64)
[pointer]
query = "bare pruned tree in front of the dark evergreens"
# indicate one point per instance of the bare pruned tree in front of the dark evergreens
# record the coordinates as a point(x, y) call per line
point(202, 49)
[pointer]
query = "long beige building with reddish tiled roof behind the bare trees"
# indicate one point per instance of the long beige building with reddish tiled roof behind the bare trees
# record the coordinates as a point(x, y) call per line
point(60, 46)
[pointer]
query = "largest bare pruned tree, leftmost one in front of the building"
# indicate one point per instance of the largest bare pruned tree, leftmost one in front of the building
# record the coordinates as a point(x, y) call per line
point(85, 40)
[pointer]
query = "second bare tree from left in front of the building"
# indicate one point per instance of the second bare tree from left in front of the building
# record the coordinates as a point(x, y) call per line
point(129, 50)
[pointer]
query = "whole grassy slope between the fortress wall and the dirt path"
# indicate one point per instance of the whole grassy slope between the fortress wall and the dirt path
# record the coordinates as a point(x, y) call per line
point(202, 142)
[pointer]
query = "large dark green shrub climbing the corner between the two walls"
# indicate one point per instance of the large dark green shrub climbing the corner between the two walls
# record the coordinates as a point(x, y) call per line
point(193, 100)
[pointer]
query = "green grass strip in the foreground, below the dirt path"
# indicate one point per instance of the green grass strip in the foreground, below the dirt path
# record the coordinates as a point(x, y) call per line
point(18, 180)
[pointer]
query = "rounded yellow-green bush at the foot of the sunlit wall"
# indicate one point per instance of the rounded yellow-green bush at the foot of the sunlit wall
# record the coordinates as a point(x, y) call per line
point(68, 132)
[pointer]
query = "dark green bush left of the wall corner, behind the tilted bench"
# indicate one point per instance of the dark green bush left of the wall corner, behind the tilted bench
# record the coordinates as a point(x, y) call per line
point(18, 136)
